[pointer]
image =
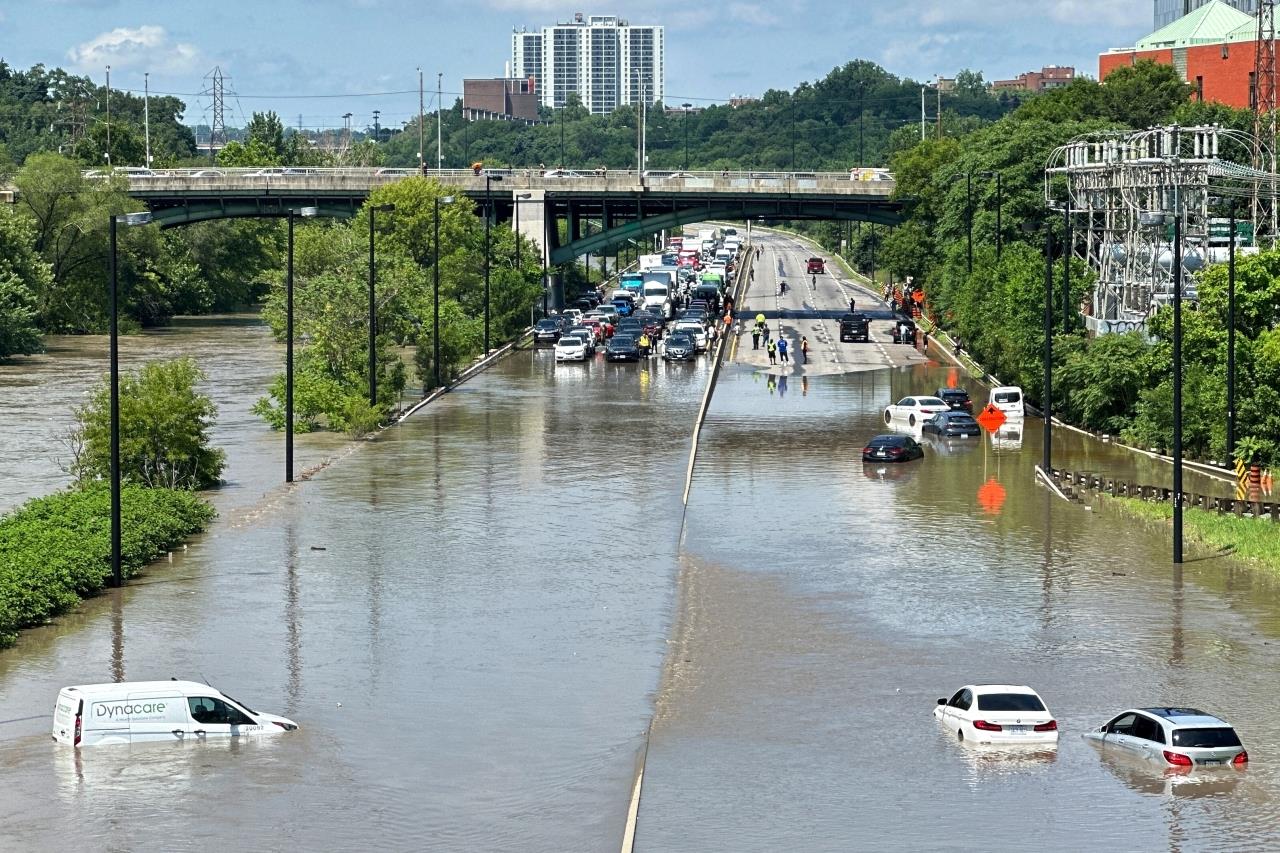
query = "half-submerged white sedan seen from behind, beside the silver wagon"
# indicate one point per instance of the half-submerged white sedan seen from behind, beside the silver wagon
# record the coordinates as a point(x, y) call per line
point(1000, 714)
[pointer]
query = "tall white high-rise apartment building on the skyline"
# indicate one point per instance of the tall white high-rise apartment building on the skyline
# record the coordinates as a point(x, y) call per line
point(602, 60)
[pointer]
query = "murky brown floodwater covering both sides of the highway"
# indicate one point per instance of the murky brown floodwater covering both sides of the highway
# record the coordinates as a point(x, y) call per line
point(476, 618)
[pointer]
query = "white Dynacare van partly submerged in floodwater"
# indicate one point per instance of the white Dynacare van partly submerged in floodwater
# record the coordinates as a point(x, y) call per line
point(154, 711)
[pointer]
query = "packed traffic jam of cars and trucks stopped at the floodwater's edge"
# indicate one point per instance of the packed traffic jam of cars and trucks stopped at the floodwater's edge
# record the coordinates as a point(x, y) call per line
point(669, 307)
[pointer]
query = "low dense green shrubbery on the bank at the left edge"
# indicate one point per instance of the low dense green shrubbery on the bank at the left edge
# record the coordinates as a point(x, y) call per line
point(57, 550)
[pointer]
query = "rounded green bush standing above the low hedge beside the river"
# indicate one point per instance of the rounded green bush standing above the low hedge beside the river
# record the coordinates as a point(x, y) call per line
point(164, 430)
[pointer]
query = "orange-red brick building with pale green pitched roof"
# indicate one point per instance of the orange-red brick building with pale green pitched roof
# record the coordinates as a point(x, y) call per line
point(1214, 49)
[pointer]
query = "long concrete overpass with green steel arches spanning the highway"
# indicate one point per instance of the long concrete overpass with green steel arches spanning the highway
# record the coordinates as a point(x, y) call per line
point(566, 213)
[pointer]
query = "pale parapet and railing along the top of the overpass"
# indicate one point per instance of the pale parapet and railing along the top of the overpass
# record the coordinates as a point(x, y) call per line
point(858, 183)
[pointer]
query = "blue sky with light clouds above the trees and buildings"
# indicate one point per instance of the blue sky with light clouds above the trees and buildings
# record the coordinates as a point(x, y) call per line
point(326, 58)
